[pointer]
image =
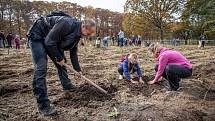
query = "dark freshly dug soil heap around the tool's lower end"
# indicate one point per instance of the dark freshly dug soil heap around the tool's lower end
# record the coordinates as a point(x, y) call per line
point(87, 94)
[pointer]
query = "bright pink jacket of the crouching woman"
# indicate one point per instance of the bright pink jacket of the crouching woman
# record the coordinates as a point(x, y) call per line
point(166, 57)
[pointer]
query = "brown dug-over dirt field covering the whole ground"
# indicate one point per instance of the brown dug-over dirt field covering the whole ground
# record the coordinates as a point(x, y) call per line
point(194, 102)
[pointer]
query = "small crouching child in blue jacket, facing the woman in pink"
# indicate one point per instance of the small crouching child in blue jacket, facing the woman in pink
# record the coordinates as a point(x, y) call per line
point(129, 65)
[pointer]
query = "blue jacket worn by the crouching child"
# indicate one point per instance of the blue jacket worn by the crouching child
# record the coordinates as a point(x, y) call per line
point(124, 67)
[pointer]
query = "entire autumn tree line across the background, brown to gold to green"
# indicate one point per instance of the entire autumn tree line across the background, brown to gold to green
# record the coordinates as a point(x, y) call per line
point(152, 19)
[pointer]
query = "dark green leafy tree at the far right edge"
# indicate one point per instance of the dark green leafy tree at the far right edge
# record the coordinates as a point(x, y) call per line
point(200, 15)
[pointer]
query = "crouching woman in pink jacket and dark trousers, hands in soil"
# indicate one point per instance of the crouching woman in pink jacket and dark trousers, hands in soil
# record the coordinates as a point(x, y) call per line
point(172, 65)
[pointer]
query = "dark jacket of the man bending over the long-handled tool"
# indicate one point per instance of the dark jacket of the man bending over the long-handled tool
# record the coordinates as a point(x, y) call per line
point(58, 33)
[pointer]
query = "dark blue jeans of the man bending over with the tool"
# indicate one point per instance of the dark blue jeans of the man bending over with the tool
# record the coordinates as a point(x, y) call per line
point(39, 56)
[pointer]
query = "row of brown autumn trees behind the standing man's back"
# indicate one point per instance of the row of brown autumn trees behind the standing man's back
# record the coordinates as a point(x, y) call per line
point(18, 15)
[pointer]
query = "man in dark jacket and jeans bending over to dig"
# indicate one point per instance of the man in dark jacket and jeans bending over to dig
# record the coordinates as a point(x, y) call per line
point(51, 35)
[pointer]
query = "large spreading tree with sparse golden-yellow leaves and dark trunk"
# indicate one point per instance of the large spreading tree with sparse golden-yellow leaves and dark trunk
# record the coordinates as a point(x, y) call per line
point(158, 13)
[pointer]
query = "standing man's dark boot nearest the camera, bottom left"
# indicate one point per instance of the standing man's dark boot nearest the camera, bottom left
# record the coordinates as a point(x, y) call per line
point(46, 109)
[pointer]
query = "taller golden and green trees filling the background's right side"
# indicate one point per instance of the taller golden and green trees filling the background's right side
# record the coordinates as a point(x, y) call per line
point(167, 19)
